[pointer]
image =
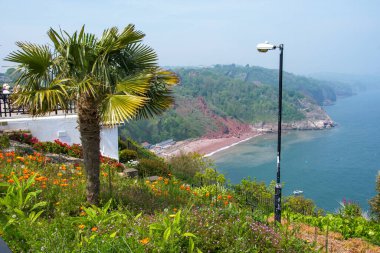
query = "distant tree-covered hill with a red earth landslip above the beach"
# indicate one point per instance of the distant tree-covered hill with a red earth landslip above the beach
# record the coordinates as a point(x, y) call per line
point(225, 99)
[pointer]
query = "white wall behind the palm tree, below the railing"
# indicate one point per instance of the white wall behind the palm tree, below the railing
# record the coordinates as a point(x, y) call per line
point(64, 128)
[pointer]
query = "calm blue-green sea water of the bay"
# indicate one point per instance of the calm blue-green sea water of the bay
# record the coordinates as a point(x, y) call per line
point(327, 165)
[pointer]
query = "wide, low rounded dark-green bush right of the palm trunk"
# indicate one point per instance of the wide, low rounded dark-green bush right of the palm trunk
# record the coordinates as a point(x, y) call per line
point(147, 167)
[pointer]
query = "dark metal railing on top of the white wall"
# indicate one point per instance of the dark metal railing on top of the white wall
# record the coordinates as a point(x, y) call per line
point(7, 109)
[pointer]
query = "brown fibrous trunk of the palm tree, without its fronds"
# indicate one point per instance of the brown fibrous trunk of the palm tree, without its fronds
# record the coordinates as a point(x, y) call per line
point(89, 128)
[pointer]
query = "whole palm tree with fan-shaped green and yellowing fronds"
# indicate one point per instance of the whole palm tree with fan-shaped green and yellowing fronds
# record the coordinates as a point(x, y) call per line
point(112, 79)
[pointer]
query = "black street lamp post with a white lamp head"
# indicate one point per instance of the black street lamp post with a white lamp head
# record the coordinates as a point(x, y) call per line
point(263, 48)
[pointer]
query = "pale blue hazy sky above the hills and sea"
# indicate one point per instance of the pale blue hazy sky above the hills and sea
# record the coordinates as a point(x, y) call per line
point(319, 36)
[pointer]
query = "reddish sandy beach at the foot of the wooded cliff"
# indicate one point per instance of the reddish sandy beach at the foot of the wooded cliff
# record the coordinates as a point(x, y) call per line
point(207, 146)
